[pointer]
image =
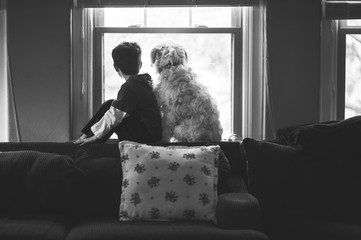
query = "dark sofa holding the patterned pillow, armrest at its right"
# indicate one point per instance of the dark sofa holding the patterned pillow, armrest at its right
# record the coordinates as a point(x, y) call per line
point(65, 191)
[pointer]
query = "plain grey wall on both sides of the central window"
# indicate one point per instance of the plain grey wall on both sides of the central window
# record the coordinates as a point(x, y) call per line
point(39, 48)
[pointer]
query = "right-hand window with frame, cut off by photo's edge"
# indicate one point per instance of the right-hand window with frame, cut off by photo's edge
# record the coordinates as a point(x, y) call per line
point(347, 73)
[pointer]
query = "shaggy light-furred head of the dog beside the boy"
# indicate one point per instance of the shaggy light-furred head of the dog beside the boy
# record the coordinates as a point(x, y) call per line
point(168, 54)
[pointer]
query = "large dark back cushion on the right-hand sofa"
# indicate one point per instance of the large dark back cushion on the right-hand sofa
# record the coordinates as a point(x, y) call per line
point(288, 181)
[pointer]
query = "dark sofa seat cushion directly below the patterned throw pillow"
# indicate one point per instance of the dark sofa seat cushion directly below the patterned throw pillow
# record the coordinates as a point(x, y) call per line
point(111, 229)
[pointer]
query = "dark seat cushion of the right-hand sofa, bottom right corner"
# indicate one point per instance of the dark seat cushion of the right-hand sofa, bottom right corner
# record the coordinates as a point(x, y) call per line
point(314, 228)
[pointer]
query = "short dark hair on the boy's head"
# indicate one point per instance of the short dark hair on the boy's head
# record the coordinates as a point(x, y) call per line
point(126, 57)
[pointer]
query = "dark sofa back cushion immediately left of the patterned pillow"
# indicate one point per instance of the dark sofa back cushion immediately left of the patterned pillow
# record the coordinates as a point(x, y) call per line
point(102, 182)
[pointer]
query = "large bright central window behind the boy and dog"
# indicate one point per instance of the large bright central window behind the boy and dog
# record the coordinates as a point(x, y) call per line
point(210, 48)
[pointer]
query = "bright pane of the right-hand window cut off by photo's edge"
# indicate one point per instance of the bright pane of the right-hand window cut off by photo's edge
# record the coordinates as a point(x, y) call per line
point(353, 75)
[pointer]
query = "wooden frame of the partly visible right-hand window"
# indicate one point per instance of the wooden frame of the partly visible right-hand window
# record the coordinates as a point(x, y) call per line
point(333, 63)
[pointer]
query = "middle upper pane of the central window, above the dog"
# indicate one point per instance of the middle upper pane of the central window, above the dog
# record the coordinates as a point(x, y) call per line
point(168, 17)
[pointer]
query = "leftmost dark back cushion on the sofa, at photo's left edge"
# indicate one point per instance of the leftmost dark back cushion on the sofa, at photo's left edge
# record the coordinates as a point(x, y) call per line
point(37, 182)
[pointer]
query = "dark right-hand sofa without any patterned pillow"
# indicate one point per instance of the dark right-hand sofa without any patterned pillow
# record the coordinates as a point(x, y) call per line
point(308, 180)
